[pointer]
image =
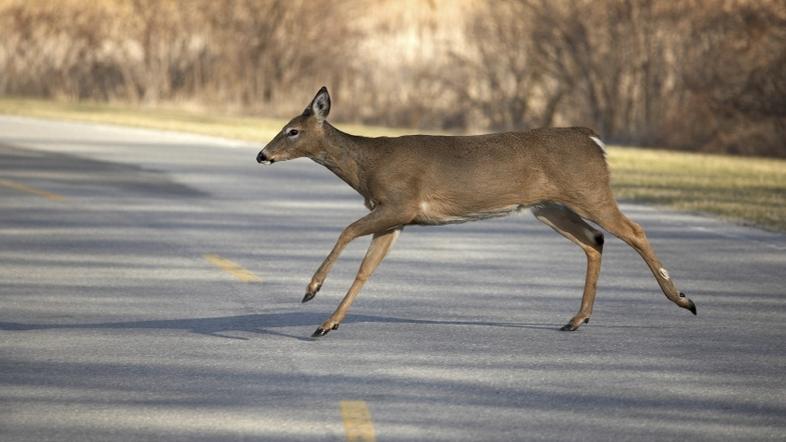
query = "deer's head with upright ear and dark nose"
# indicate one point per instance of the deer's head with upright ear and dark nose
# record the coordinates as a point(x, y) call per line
point(302, 136)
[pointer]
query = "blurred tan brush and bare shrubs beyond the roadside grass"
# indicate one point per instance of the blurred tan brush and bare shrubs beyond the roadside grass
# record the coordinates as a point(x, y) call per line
point(707, 75)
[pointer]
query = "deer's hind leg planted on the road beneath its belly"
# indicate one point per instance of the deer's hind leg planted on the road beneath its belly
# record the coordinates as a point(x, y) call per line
point(571, 226)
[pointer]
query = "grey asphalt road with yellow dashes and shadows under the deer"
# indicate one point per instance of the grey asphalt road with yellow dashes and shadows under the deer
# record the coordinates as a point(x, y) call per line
point(114, 325)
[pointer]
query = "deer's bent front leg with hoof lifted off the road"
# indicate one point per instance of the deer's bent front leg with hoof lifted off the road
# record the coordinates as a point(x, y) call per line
point(379, 220)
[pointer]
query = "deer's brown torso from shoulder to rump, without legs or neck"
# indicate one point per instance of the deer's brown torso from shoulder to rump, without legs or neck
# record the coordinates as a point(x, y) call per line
point(485, 175)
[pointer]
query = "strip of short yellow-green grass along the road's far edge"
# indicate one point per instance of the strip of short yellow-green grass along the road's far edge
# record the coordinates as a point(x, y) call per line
point(744, 190)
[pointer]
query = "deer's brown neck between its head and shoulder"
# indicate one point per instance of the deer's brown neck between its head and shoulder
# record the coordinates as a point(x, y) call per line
point(347, 156)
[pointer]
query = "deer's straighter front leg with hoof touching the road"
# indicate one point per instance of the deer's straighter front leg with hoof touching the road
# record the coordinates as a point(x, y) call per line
point(377, 250)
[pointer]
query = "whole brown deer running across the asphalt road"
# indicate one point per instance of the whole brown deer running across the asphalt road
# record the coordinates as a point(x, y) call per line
point(560, 174)
